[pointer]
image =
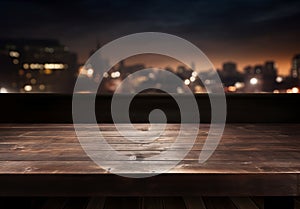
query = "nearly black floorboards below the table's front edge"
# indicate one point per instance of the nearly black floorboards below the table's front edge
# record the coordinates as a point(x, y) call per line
point(133, 203)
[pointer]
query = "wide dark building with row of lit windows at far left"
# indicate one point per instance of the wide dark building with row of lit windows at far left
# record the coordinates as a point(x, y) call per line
point(32, 65)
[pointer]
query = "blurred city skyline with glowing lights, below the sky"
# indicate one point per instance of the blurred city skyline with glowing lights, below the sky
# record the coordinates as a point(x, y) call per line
point(37, 66)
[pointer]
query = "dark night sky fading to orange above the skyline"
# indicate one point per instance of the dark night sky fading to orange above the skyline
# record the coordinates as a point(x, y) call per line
point(245, 31)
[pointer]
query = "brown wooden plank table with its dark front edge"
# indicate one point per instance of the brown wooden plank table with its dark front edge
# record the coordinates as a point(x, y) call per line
point(251, 159)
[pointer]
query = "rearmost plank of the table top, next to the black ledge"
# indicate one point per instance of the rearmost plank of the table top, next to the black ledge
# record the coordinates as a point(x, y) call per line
point(46, 129)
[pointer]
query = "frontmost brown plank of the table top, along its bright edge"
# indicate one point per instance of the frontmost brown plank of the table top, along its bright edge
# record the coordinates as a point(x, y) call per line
point(86, 167)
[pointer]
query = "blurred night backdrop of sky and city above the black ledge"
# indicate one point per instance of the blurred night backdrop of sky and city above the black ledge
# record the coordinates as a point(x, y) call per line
point(254, 45)
